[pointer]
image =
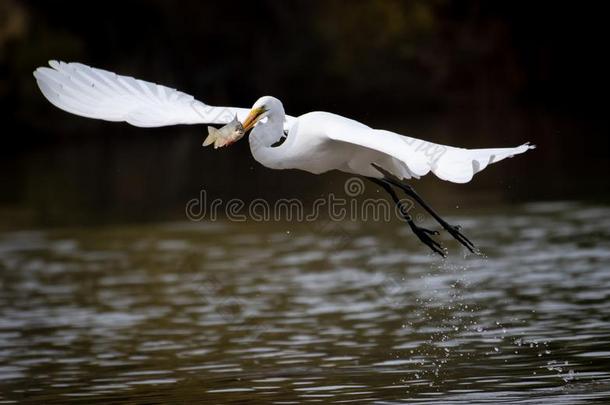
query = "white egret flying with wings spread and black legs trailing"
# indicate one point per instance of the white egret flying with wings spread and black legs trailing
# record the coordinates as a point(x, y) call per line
point(316, 142)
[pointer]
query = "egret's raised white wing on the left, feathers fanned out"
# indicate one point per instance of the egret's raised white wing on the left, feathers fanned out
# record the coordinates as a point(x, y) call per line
point(100, 94)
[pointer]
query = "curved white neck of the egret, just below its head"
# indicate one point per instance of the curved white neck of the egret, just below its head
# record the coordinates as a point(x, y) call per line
point(262, 137)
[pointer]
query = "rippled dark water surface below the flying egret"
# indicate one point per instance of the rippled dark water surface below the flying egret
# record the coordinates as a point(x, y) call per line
point(294, 313)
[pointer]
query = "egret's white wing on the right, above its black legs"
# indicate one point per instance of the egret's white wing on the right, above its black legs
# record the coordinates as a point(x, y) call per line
point(408, 157)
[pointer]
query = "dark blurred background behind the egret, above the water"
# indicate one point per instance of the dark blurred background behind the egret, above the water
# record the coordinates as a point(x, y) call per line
point(466, 73)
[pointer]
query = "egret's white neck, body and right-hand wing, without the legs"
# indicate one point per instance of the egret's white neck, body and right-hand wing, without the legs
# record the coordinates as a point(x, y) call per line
point(319, 141)
